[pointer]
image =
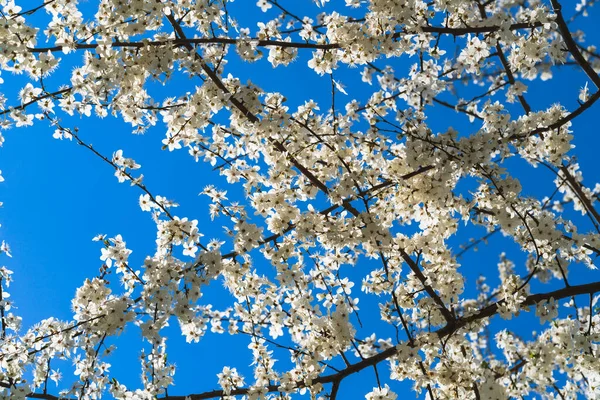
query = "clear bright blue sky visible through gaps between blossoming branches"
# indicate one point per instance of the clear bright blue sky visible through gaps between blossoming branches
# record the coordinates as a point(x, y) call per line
point(57, 196)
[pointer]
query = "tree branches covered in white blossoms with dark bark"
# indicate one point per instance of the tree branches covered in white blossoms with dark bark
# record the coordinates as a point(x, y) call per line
point(348, 200)
